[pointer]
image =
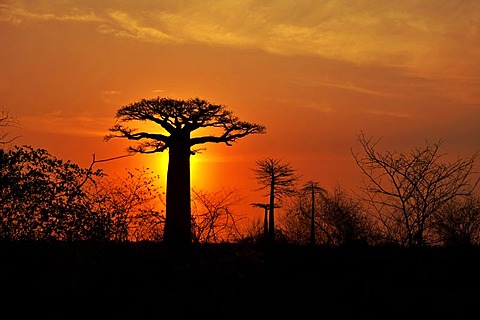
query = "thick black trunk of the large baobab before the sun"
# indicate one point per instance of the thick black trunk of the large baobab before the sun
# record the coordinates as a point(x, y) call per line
point(178, 212)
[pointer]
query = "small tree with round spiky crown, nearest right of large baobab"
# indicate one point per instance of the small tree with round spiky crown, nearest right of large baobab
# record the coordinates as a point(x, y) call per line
point(279, 179)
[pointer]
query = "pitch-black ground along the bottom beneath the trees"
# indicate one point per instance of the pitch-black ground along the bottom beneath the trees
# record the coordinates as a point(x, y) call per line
point(236, 281)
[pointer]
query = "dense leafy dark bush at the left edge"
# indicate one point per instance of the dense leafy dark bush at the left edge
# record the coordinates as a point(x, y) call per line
point(44, 198)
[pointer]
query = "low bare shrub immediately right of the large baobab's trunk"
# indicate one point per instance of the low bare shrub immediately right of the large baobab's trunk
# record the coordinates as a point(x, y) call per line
point(213, 220)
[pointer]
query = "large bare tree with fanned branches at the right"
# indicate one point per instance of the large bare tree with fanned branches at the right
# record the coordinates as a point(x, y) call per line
point(407, 190)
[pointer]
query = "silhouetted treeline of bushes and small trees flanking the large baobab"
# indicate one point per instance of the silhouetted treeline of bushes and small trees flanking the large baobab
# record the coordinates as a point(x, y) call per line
point(409, 199)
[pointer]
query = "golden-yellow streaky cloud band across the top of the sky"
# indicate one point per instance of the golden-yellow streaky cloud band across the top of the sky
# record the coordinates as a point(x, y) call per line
point(427, 37)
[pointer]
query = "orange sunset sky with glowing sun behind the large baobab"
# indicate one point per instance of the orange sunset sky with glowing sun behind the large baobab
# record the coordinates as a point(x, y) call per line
point(315, 73)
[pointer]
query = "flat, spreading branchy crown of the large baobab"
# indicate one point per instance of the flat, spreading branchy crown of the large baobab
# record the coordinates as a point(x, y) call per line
point(180, 118)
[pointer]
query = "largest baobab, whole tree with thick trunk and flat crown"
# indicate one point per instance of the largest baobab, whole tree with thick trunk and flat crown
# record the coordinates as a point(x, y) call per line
point(178, 119)
